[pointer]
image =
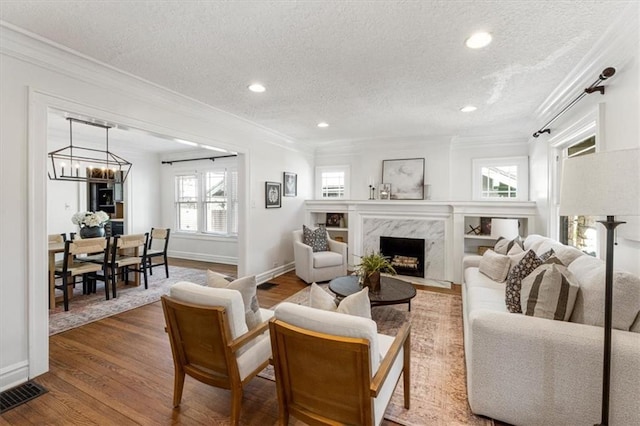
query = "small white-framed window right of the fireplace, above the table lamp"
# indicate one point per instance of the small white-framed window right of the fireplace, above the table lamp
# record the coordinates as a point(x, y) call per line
point(501, 179)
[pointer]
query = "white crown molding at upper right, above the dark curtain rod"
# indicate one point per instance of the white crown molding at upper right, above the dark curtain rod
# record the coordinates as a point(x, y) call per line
point(615, 48)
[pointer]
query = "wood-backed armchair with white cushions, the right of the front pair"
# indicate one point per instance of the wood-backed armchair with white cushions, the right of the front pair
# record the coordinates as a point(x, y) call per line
point(328, 366)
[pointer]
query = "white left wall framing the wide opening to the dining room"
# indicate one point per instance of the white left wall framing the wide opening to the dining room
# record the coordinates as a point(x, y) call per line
point(34, 77)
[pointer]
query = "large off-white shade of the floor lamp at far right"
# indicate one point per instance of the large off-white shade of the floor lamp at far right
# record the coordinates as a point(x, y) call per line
point(601, 184)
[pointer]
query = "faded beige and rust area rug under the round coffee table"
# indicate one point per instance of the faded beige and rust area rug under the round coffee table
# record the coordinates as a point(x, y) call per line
point(438, 384)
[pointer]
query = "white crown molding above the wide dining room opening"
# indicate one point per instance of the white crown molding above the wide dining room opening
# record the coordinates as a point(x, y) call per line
point(44, 53)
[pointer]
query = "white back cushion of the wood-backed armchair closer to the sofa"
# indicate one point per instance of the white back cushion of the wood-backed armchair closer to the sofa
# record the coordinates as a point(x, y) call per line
point(333, 323)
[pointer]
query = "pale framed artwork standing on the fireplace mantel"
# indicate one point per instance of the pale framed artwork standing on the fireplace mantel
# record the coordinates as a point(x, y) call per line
point(406, 177)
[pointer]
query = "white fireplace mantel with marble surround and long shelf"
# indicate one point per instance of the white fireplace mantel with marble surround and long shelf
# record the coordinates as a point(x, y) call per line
point(441, 222)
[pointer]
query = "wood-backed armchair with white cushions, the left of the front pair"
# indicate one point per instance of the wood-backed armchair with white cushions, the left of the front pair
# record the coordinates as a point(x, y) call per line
point(210, 340)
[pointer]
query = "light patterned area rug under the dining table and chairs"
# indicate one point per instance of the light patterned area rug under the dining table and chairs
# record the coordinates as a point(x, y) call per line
point(84, 309)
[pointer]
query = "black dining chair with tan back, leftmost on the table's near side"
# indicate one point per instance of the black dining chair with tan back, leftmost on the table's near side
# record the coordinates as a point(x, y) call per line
point(71, 266)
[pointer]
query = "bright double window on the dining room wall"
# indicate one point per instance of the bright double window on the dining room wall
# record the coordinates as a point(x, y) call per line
point(213, 209)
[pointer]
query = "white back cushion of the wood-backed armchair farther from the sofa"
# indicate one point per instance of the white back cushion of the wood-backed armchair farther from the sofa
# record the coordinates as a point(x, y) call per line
point(208, 296)
